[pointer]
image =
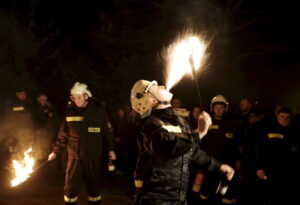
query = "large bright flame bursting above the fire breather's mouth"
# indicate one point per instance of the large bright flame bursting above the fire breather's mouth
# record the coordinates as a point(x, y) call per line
point(179, 57)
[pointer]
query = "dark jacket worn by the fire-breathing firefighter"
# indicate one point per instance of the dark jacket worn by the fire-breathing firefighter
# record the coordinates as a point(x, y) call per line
point(165, 151)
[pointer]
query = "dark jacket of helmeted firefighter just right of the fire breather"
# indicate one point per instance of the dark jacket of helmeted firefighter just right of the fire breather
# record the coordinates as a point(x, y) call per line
point(220, 141)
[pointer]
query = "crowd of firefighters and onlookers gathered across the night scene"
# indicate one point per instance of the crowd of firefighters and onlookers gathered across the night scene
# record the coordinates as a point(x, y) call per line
point(261, 148)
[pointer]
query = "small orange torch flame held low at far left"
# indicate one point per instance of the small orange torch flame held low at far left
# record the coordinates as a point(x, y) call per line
point(22, 169)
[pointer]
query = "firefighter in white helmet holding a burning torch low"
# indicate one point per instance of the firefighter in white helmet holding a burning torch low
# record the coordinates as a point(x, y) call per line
point(83, 131)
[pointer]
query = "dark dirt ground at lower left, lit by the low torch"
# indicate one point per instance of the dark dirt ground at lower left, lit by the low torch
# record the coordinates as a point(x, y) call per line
point(45, 187)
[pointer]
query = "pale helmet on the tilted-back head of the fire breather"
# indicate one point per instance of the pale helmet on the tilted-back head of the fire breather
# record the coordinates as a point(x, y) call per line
point(140, 97)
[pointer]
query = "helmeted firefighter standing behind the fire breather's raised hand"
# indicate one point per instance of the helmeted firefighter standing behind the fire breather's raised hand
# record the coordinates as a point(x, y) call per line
point(221, 144)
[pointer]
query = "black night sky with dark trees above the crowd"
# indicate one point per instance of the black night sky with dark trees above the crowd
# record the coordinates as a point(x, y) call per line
point(49, 44)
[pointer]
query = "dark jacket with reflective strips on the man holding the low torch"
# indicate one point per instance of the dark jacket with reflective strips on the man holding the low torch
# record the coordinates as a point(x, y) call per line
point(84, 132)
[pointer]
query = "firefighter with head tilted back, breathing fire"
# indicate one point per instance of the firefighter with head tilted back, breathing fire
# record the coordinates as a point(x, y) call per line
point(166, 148)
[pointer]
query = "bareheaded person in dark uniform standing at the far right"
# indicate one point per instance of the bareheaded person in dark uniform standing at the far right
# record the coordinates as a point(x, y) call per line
point(274, 158)
